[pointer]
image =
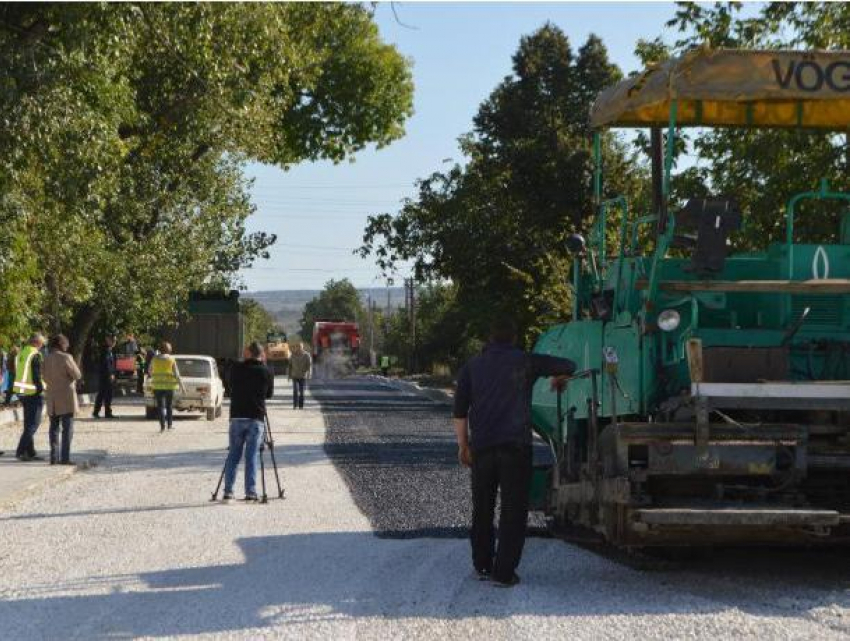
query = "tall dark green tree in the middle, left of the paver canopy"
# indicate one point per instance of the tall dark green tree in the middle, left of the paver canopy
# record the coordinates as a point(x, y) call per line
point(496, 227)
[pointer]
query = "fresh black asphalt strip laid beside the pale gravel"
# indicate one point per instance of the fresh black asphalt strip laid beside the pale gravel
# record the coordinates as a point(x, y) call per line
point(397, 454)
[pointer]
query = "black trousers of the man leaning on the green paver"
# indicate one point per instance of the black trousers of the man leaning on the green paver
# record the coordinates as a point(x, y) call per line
point(506, 468)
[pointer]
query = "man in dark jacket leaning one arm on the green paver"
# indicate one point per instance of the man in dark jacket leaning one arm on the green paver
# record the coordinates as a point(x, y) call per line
point(493, 402)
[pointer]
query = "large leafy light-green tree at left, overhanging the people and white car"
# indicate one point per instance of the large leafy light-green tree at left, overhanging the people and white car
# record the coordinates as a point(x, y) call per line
point(126, 128)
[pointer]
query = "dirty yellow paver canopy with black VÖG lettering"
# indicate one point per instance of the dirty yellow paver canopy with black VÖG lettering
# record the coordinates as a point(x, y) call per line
point(733, 87)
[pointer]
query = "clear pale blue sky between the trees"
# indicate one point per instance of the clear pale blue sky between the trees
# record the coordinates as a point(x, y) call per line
point(460, 52)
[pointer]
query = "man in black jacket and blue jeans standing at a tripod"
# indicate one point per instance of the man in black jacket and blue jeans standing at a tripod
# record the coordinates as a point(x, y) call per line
point(251, 384)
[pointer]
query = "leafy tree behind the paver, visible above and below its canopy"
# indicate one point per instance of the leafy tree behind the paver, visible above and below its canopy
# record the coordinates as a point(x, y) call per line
point(762, 168)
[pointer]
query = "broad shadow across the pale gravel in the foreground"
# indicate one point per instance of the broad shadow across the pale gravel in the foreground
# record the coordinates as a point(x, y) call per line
point(316, 578)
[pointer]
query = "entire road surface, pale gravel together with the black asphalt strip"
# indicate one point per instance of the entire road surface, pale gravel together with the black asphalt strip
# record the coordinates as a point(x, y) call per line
point(134, 548)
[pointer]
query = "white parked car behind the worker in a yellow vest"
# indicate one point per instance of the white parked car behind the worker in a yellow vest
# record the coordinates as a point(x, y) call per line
point(204, 390)
